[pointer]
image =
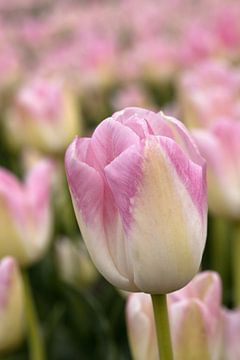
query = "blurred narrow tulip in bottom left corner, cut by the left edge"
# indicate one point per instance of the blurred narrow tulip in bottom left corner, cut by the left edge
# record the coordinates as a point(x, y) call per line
point(11, 305)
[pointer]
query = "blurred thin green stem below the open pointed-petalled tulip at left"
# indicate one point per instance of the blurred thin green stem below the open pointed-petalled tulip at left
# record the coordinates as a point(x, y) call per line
point(35, 341)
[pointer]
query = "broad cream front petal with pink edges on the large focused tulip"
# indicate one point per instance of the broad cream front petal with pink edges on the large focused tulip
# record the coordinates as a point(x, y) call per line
point(162, 198)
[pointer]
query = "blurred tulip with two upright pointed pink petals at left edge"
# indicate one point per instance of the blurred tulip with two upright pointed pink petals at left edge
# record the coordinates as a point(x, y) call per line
point(25, 213)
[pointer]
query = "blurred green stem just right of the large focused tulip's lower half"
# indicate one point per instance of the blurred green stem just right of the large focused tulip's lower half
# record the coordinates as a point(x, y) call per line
point(220, 250)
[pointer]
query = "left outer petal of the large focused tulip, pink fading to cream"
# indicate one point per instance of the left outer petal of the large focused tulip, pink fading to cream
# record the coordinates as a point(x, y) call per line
point(87, 190)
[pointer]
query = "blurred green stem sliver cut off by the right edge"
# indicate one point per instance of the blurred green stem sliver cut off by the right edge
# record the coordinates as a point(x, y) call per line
point(236, 263)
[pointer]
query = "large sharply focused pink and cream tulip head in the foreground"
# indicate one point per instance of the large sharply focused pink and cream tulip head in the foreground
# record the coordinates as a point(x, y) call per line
point(139, 191)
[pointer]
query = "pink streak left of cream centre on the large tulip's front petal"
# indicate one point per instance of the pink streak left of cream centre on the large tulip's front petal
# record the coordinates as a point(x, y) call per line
point(123, 176)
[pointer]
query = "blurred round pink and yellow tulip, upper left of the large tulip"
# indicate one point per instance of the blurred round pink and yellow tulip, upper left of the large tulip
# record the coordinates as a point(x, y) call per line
point(44, 116)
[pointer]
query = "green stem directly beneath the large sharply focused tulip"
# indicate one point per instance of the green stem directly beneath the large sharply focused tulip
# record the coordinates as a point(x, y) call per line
point(162, 327)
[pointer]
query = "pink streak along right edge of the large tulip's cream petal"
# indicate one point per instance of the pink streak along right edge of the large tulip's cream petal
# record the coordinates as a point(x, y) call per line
point(192, 175)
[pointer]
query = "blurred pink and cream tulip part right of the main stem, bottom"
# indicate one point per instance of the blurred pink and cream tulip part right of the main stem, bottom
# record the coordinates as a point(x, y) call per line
point(196, 318)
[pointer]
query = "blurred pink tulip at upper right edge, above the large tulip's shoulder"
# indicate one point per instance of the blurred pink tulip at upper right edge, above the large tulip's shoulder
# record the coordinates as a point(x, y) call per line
point(208, 92)
